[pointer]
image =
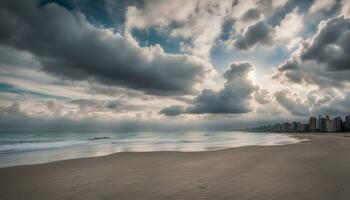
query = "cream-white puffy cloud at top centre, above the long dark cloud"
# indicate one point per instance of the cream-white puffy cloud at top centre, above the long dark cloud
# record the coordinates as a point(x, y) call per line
point(183, 19)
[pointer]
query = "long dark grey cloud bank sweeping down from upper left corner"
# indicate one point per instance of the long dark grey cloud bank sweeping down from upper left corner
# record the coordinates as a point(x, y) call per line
point(67, 45)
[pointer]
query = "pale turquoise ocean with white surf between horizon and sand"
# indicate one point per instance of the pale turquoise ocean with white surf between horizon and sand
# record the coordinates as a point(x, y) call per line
point(25, 148)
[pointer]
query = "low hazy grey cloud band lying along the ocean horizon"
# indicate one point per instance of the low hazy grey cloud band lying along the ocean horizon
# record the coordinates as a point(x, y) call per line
point(57, 124)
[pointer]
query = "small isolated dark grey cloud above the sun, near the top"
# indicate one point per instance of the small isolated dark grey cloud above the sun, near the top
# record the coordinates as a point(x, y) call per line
point(254, 35)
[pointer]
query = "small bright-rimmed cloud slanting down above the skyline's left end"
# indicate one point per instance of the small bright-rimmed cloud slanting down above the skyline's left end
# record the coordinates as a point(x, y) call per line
point(294, 105)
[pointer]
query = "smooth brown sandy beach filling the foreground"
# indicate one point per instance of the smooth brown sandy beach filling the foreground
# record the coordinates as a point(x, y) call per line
point(316, 169)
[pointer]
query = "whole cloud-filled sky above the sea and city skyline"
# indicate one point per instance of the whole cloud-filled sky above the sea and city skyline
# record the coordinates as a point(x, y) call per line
point(159, 65)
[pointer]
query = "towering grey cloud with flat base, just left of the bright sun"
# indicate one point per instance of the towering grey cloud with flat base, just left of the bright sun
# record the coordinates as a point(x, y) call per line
point(234, 98)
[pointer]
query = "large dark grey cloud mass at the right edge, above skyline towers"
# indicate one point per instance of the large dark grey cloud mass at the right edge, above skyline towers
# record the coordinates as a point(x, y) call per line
point(323, 61)
